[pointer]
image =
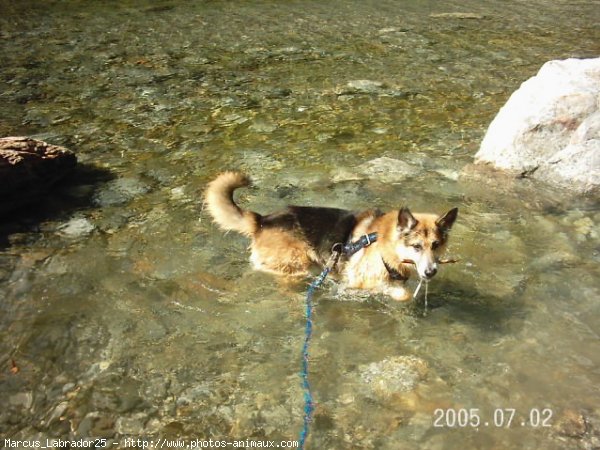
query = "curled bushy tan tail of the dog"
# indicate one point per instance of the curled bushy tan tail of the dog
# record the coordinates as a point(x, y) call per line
point(219, 200)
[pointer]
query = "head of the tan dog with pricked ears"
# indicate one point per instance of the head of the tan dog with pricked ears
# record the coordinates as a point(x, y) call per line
point(422, 239)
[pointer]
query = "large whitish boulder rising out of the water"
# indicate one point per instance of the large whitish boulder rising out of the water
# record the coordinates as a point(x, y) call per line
point(550, 127)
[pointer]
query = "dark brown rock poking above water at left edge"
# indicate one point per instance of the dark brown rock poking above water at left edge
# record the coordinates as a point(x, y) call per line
point(28, 168)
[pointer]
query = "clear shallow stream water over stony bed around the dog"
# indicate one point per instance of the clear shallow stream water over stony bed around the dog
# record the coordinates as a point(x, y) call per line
point(126, 313)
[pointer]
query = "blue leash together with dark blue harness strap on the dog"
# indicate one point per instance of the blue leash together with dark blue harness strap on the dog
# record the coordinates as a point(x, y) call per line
point(348, 249)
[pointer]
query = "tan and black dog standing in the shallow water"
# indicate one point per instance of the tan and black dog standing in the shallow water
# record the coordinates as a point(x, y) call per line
point(291, 241)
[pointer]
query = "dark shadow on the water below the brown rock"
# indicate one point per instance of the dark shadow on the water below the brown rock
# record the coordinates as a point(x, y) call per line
point(72, 193)
